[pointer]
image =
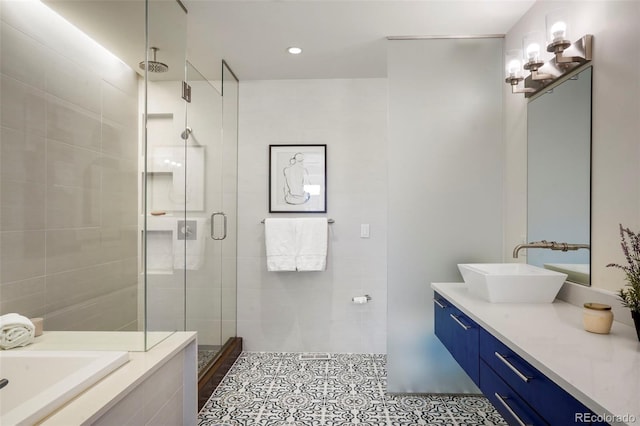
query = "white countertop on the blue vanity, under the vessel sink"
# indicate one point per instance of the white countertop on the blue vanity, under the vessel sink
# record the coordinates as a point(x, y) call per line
point(601, 371)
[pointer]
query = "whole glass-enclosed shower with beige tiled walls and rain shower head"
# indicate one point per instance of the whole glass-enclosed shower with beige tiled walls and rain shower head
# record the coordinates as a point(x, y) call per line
point(119, 174)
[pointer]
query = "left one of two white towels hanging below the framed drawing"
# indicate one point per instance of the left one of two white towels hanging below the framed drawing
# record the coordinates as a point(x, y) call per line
point(280, 239)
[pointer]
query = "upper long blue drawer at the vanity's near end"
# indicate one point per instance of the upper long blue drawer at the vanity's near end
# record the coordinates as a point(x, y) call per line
point(554, 404)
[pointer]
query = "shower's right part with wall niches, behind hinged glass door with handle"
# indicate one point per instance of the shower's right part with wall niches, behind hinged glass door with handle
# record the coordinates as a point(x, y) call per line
point(188, 234)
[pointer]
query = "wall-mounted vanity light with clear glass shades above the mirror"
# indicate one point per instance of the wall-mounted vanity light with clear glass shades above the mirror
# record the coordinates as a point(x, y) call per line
point(567, 56)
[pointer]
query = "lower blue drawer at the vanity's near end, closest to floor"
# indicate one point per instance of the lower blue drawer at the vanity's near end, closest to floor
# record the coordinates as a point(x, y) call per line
point(512, 408)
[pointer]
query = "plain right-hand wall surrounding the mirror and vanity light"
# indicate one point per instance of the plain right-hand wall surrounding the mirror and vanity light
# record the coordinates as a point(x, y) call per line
point(616, 128)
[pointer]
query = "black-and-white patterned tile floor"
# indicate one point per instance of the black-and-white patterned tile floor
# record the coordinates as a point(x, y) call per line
point(280, 389)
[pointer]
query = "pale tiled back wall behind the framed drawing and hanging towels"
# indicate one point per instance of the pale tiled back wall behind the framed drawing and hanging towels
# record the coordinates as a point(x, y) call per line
point(312, 311)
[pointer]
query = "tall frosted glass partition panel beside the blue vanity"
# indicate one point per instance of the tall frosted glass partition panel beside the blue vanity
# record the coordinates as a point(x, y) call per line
point(445, 187)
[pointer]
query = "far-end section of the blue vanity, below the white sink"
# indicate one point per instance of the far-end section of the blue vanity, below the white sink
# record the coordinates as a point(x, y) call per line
point(459, 334)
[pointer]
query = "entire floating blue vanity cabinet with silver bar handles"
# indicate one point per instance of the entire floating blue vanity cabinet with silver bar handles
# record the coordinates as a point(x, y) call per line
point(520, 392)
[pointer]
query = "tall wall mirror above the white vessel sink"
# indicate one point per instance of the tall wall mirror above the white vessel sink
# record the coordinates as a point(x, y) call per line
point(559, 175)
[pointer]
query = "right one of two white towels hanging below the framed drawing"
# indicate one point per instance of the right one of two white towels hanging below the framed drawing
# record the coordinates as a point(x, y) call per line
point(311, 244)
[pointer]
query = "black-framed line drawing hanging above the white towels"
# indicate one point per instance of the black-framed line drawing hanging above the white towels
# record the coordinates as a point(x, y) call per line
point(297, 178)
